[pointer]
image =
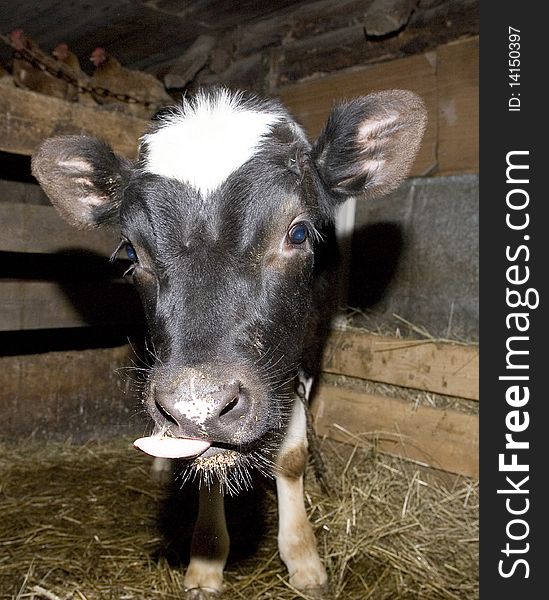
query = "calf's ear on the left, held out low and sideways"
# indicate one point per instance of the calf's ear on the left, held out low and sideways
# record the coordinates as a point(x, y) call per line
point(83, 178)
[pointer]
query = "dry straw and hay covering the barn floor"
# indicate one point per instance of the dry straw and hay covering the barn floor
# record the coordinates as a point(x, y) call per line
point(87, 523)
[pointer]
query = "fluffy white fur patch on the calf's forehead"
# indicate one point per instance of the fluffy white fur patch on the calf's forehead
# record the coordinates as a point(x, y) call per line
point(204, 140)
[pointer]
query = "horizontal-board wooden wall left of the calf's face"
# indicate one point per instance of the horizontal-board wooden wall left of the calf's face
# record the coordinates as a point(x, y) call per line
point(58, 290)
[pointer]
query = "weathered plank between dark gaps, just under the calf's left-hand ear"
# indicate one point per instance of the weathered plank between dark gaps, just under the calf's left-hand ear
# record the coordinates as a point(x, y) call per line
point(32, 228)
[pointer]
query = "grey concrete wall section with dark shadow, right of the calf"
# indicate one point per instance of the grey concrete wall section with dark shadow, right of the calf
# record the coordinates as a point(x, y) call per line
point(415, 254)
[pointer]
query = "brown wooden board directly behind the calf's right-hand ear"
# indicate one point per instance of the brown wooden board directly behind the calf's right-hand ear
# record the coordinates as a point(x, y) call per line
point(311, 101)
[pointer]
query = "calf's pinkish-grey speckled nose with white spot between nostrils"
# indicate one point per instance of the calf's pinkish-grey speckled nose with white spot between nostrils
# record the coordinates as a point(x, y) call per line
point(198, 407)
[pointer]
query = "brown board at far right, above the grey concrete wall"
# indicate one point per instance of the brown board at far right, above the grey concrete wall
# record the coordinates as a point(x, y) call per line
point(458, 88)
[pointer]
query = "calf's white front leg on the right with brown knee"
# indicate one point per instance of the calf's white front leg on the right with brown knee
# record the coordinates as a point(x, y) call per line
point(296, 539)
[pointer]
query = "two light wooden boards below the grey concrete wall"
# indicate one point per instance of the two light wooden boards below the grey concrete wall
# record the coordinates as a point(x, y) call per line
point(415, 398)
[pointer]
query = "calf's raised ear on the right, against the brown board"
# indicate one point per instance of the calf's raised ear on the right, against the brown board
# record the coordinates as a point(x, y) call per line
point(368, 144)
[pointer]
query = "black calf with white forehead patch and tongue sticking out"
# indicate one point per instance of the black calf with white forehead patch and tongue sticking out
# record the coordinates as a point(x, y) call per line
point(227, 218)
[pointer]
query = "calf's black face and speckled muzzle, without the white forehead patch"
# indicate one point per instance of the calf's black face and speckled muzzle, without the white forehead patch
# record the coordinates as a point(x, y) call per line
point(225, 278)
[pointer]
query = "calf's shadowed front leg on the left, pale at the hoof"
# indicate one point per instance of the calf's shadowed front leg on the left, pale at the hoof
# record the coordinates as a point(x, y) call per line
point(209, 547)
